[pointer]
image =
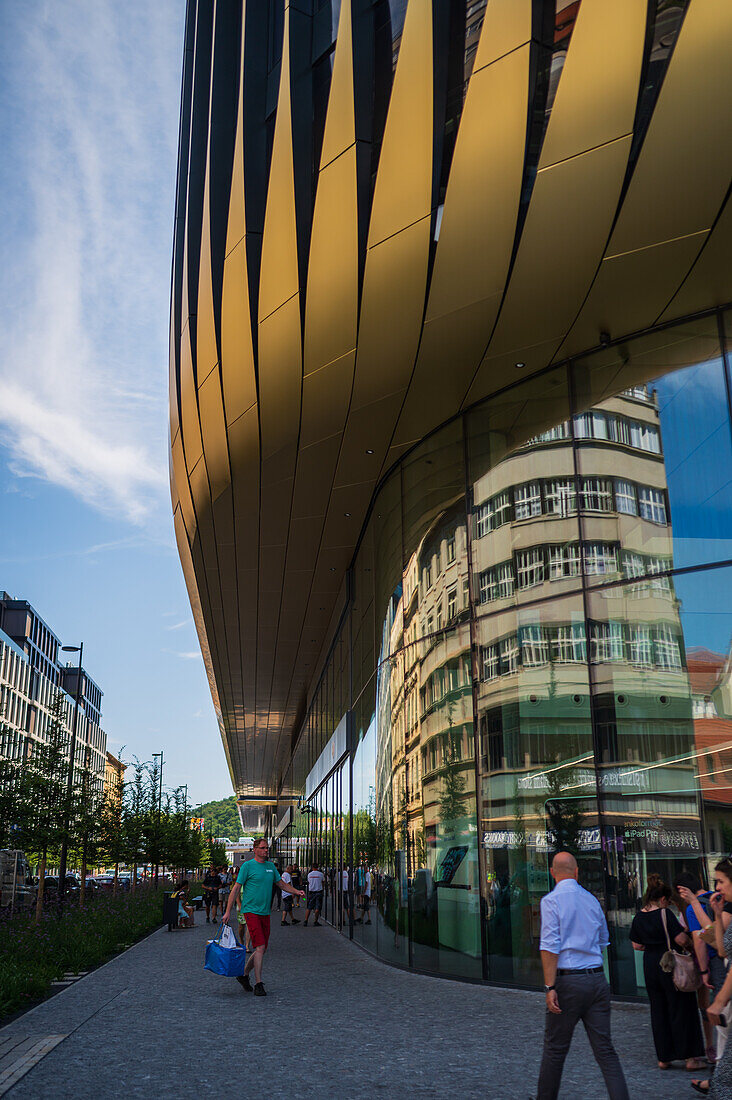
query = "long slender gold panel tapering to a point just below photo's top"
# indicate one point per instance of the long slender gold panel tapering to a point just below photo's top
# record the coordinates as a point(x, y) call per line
point(279, 279)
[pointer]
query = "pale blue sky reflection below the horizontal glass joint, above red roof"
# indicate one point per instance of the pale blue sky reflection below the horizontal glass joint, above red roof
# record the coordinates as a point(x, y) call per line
point(706, 606)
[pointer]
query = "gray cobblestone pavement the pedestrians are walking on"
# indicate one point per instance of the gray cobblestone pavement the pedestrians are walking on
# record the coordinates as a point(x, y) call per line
point(154, 1024)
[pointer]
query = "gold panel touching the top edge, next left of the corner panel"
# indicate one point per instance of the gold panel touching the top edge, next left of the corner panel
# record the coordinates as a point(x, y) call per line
point(598, 90)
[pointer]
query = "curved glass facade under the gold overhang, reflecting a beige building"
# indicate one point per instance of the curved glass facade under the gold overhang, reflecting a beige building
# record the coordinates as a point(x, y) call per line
point(534, 654)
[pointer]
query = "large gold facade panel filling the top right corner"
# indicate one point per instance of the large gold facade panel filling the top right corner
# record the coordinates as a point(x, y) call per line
point(686, 161)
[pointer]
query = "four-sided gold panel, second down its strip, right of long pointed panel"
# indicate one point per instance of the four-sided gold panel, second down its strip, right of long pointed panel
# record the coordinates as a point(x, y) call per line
point(333, 292)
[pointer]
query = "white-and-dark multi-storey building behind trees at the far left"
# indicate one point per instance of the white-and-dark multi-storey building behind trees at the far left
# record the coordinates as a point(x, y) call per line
point(32, 675)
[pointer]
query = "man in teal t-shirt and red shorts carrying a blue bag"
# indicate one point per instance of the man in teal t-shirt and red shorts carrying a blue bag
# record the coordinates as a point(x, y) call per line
point(256, 883)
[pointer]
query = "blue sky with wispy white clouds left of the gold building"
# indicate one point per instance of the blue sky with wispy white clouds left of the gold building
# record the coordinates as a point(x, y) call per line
point(90, 96)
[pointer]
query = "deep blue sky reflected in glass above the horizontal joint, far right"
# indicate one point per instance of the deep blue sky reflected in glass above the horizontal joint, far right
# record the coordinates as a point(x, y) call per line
point(698, 453)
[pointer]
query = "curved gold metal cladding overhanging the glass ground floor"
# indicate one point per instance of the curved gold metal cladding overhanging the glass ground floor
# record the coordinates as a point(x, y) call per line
point(365, 300)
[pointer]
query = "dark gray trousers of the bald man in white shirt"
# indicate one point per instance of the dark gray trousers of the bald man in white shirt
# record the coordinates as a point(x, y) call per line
point(583, 997)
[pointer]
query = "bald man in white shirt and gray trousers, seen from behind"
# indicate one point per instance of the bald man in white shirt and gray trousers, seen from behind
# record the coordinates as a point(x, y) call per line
point(574, 933)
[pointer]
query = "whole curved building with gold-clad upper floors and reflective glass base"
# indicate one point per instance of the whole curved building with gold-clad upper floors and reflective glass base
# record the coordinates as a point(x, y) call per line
point(452, 449)
